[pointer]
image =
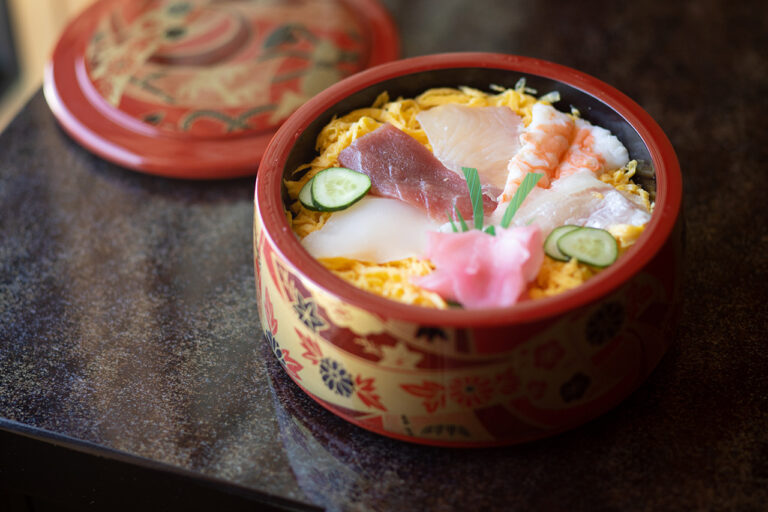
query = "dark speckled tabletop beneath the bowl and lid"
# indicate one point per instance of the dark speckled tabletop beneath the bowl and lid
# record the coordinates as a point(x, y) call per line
point(129, 333)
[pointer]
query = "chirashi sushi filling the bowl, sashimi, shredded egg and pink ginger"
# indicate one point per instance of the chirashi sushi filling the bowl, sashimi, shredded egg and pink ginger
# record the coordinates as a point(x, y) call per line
point(465, 198)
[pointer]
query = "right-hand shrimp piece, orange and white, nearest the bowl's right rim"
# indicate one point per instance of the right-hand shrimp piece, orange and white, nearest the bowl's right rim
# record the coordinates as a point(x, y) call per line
point(593, 148)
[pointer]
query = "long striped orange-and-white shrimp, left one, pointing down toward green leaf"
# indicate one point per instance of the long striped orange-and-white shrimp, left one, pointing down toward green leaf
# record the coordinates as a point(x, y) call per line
point(544, 142)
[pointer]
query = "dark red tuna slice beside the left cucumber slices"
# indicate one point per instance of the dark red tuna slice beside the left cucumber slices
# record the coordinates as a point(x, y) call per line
point(401, 168)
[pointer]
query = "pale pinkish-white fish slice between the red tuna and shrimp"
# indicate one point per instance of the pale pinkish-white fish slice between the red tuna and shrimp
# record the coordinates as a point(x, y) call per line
point(485, 138)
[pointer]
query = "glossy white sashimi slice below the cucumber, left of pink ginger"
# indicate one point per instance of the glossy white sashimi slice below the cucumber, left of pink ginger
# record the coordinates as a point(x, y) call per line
point(375, 229)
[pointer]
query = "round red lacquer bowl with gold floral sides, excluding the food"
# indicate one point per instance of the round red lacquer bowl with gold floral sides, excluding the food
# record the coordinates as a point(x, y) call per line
point(464, 377)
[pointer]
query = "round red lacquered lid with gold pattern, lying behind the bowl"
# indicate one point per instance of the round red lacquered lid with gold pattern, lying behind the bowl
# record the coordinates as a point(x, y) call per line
point(197, 88)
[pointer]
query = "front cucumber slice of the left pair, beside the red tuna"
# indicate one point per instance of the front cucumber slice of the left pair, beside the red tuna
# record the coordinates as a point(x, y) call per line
point(338, 188)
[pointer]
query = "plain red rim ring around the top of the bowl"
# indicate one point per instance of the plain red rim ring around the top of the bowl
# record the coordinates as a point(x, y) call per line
point(270, 207)
